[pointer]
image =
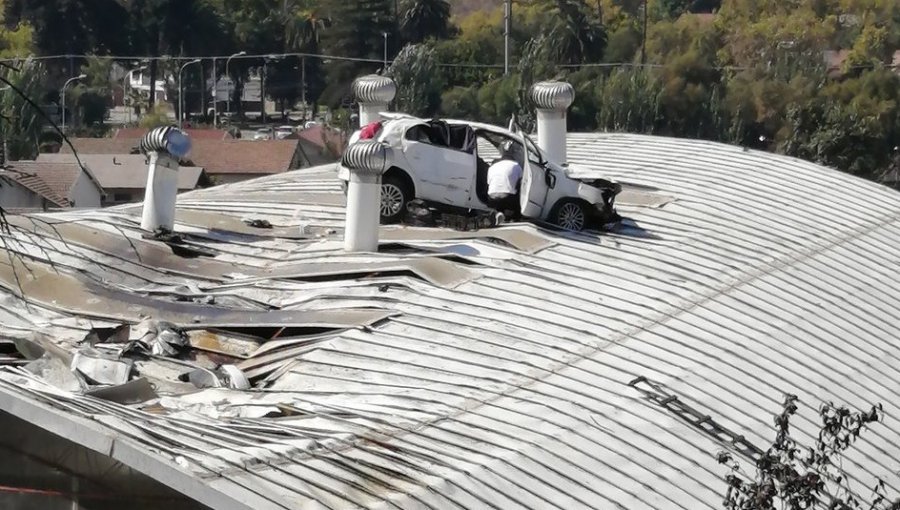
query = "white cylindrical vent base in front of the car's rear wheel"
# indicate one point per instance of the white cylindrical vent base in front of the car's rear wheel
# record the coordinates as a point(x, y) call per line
point(363, 208)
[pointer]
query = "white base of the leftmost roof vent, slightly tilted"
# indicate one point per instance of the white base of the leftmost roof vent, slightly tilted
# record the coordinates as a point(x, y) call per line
point(162, 189)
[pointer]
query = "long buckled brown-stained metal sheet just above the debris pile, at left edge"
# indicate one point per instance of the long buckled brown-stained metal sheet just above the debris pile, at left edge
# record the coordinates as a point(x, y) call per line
point(38, 283)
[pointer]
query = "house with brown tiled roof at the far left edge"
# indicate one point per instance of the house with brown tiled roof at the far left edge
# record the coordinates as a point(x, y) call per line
point(68, 184)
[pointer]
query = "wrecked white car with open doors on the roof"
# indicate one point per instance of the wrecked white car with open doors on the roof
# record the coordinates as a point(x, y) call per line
point(446, 162)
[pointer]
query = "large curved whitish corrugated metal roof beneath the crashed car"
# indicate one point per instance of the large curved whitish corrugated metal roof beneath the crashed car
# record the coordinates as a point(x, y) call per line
point(758, 275)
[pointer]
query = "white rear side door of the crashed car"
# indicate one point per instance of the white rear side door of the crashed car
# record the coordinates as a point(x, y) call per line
point(444, 174)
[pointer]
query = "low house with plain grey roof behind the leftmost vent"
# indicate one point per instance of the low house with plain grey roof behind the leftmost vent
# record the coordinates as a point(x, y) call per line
point(124, 176)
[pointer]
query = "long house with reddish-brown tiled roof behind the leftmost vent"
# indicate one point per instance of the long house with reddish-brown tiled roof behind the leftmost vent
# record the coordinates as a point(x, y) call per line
point(224, 161)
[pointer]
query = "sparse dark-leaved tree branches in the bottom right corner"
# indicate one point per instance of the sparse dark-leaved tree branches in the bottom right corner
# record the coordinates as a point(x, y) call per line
point(790, 476)
